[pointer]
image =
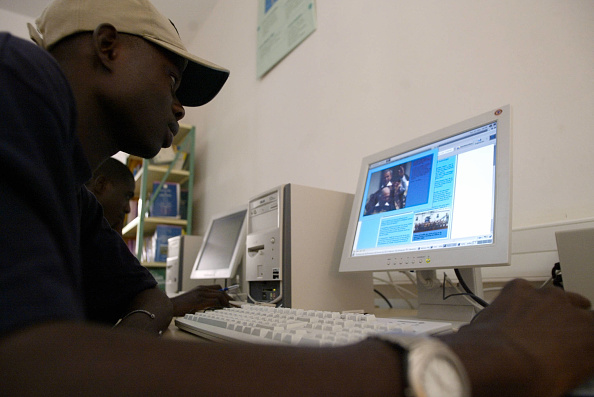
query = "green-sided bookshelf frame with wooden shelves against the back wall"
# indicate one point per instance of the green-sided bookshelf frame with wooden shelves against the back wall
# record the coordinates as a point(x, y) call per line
point(143, 225)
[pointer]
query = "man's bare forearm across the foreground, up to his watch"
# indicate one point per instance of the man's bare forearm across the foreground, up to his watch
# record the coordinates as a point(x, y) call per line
point(78, 359)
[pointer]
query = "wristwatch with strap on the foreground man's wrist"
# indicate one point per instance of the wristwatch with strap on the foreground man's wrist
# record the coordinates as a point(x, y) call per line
point(430, 367)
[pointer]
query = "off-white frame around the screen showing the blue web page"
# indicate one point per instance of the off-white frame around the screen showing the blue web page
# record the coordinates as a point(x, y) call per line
point(496, 254)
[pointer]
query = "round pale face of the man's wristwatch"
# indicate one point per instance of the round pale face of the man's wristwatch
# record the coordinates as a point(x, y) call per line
point(440, 378)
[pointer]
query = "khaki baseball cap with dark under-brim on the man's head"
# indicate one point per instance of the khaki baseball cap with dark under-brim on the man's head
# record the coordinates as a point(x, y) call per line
point(201, 81)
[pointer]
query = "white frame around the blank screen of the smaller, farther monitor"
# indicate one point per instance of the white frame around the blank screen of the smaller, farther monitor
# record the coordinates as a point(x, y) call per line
point(238, 249)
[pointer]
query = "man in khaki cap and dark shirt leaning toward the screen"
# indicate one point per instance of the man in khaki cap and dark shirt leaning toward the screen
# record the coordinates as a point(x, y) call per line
point(120, 82)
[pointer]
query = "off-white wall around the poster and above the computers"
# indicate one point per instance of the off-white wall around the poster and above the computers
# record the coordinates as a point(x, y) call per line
point(376, 73)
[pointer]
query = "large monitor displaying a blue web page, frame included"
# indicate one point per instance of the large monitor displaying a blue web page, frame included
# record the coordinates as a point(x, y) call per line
point(440, 201)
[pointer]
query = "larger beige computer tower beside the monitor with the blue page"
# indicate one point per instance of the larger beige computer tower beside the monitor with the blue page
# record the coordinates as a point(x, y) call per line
point(293, 248)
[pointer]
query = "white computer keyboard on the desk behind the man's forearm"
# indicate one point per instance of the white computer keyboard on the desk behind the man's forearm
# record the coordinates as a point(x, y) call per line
point(271, 325)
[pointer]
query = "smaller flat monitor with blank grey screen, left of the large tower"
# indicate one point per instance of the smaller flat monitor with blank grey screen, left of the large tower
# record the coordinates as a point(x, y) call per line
point(223, 246)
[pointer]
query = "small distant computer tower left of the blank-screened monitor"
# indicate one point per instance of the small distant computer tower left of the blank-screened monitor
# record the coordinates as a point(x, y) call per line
point(181, 254)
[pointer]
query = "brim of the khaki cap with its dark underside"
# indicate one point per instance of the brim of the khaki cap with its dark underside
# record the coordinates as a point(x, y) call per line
point(201, 81)
